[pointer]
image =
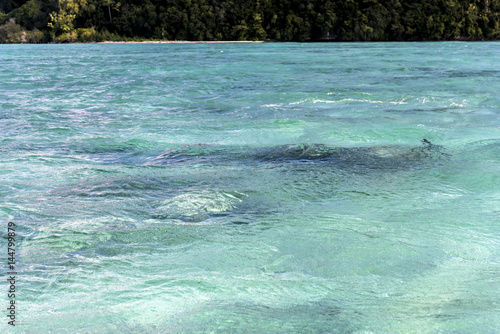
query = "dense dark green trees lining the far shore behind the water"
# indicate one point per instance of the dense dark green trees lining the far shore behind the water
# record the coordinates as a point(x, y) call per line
point(299, 20)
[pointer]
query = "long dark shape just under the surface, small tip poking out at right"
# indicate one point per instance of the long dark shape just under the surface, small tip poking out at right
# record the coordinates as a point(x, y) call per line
point(368, 157)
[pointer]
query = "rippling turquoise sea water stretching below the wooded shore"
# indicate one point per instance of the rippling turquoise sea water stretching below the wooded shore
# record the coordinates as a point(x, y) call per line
point(169, 188)
